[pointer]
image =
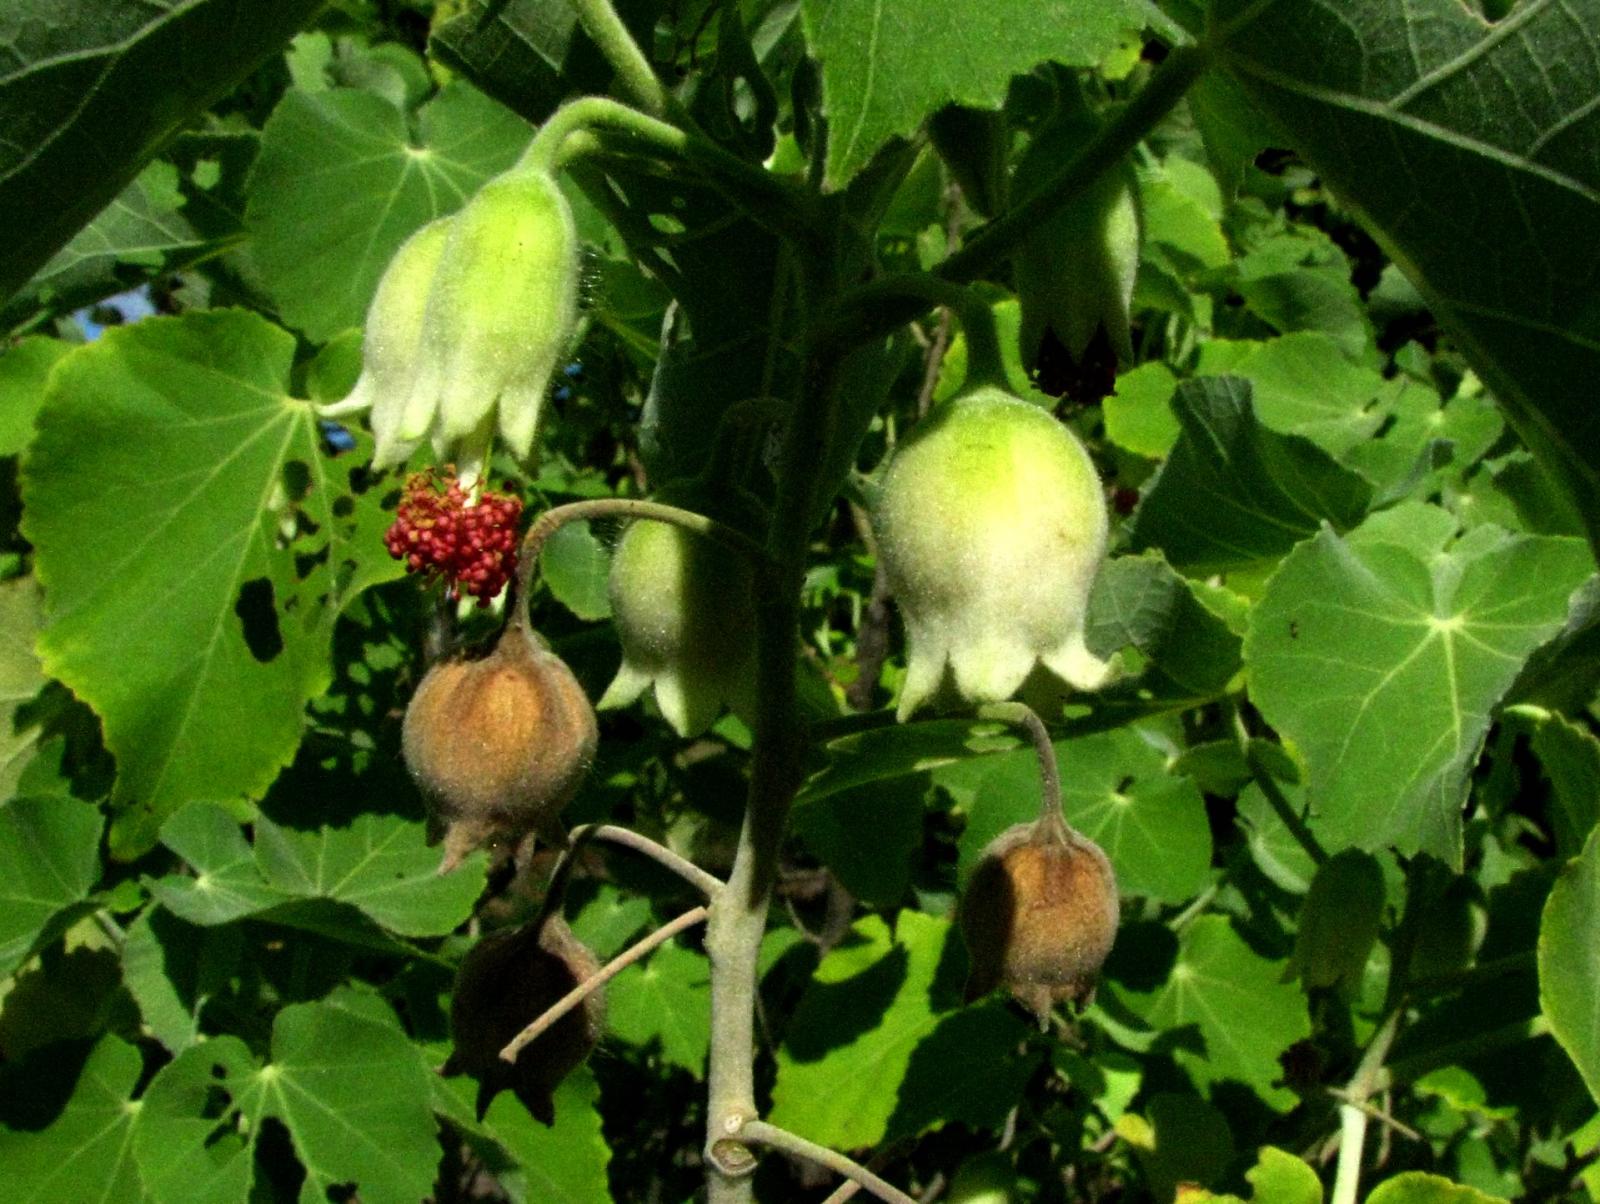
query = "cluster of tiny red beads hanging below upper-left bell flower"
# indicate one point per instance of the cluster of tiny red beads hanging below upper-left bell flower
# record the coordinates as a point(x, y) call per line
point(438, 531)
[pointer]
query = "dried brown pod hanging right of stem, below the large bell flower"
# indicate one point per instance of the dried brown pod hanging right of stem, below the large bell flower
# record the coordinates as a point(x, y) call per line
point(1039, 917)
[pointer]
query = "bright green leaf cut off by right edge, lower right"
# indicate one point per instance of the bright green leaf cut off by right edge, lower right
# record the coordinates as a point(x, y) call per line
point(1570, 961)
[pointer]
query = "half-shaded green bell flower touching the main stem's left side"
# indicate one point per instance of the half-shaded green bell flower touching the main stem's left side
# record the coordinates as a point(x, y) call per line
point(686, 612)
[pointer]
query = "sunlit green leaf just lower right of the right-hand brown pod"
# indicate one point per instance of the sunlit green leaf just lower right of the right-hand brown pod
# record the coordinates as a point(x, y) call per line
point(1238, 1011)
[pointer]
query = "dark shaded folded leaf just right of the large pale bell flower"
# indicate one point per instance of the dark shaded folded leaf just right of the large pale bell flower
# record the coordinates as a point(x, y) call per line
point(1233, 492)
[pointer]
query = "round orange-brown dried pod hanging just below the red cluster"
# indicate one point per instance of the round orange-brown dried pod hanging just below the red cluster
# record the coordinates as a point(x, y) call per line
point(500, 744)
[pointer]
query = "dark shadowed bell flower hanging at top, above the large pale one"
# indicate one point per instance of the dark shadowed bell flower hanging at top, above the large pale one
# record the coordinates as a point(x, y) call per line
point(1076, 270)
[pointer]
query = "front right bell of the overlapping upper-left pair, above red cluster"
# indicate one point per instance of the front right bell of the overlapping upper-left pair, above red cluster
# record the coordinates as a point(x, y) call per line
point(500, 315)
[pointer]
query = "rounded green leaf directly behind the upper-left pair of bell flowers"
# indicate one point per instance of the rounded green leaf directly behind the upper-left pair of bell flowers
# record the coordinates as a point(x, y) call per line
point(340, 185)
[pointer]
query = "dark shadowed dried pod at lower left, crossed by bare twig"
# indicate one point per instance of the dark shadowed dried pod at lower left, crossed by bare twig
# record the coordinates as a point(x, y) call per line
point(506, 984)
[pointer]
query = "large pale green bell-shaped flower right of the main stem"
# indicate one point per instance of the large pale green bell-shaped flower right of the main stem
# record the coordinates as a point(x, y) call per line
point(991, 523)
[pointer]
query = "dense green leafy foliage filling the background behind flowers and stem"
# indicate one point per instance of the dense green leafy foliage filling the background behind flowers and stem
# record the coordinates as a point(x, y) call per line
point(1350, 785)
